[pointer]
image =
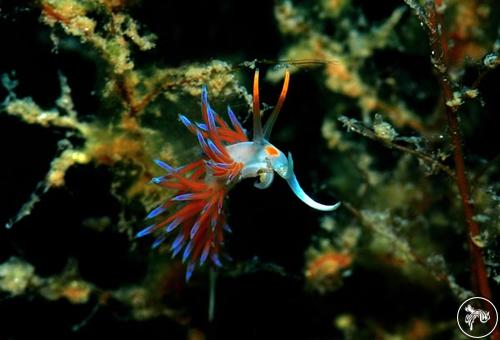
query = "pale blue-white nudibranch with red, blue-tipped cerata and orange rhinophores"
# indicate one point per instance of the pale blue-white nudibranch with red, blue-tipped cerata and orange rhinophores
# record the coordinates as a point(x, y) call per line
point(193, 220)
